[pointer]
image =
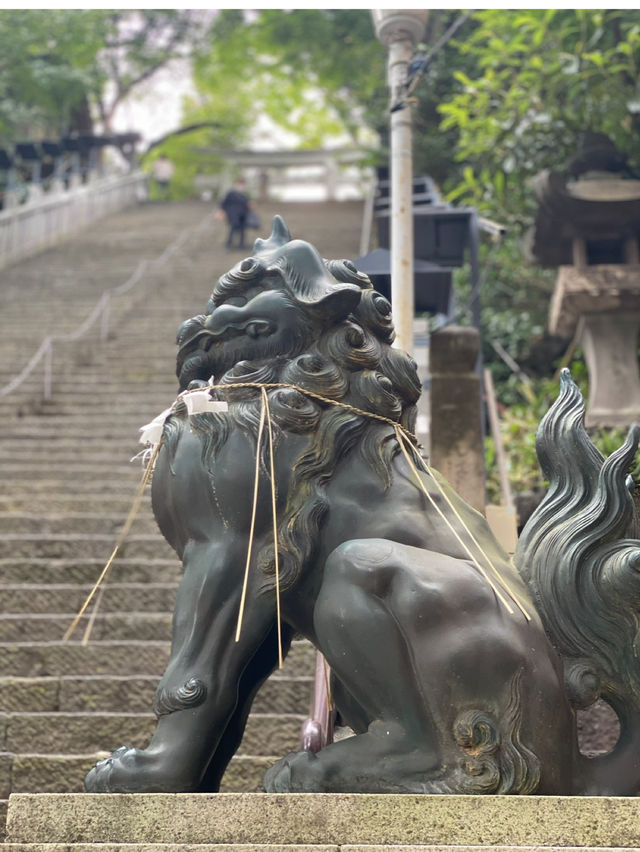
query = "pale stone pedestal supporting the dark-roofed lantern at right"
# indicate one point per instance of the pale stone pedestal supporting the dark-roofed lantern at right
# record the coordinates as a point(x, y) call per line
point(602, 303)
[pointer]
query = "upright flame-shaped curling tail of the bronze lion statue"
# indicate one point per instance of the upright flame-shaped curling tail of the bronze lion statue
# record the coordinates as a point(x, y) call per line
point(584, 576)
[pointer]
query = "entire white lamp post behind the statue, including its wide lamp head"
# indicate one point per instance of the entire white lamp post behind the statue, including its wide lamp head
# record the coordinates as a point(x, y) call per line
point(400, 30)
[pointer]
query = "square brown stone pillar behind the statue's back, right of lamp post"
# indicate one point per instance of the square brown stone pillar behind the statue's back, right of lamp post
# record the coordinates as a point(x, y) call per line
point(457, 449)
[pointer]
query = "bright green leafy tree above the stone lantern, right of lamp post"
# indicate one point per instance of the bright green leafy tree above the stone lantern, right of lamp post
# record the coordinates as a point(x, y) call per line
point(534, 81)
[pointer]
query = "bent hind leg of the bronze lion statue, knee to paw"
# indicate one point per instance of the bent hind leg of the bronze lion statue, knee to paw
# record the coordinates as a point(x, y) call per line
point(365, 595)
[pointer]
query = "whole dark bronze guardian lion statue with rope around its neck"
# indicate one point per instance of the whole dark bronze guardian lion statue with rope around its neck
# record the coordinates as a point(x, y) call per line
point(459, 670)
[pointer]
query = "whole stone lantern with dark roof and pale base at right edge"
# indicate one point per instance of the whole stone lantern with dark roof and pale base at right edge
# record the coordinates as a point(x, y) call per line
point(588, 225)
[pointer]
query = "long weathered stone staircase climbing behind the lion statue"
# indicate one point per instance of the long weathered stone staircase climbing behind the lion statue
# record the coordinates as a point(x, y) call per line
point(68, 483)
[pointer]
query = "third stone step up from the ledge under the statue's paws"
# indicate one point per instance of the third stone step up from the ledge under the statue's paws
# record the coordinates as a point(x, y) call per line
point(282, 693)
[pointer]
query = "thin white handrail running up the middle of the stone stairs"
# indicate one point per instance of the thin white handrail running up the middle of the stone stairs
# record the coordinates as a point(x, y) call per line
point(100, 310)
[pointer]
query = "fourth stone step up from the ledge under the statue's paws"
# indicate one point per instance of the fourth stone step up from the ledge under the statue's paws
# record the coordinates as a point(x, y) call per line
point(35, 659)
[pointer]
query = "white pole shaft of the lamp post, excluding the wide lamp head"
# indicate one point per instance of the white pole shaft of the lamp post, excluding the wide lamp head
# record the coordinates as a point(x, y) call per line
point(402, 295)
